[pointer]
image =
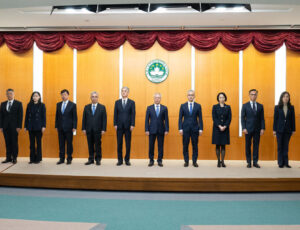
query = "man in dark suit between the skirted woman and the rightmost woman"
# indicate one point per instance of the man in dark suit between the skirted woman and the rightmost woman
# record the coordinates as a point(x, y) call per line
point(253, 125)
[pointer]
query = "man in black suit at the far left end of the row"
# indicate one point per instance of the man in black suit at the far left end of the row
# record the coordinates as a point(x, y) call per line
point(10, 125)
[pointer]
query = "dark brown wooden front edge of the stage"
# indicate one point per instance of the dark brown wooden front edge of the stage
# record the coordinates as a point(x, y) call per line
point(151, 184)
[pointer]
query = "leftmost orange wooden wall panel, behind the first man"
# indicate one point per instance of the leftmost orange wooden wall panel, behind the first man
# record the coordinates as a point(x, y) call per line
point(16, 73)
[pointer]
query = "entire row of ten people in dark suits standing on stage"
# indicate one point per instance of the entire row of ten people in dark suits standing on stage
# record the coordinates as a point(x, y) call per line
point(190, 126)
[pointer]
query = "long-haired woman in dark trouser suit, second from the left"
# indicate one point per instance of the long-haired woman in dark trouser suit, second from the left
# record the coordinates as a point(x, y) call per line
point(35, 123)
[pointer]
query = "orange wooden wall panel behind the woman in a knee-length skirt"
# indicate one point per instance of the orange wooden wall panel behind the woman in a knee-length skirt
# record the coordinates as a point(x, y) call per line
point(218, 71)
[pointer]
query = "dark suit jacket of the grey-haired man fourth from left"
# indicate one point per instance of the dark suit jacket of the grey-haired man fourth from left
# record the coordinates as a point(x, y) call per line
point(96, 122)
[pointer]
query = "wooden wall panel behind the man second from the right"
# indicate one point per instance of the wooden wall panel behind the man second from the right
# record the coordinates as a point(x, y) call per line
point(259, 73)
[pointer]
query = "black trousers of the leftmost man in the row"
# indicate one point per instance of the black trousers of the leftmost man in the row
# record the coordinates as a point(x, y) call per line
point(11, 142)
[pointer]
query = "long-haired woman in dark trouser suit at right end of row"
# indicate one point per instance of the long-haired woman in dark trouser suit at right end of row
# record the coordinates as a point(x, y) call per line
point(284, 127)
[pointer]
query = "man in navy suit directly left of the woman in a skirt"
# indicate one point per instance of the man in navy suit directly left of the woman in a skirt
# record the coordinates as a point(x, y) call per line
point(190, 127)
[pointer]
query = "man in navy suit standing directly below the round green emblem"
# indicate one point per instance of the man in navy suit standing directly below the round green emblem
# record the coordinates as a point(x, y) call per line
point(156, 126)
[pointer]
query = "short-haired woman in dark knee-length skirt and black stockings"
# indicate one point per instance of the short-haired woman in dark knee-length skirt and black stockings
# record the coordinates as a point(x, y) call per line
point(221, 114)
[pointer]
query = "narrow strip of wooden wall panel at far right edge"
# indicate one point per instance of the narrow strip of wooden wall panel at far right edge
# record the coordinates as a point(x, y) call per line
point(292, 84)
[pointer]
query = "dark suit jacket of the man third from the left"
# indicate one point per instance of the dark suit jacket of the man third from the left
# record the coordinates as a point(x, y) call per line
point(68, 120)
